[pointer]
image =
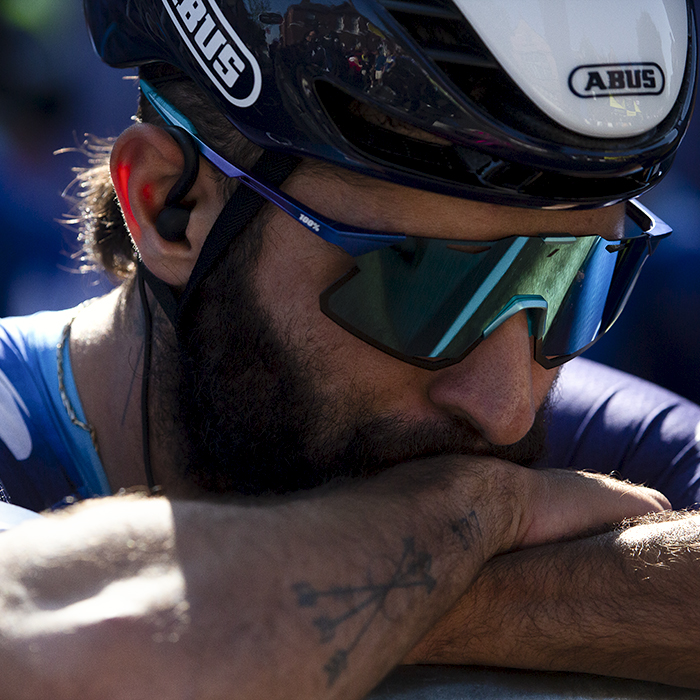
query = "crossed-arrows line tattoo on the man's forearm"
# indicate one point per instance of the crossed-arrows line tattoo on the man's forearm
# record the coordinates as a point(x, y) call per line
point(362, 604)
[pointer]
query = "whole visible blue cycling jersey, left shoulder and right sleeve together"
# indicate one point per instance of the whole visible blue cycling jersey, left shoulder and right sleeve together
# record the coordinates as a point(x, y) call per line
point(603, 420)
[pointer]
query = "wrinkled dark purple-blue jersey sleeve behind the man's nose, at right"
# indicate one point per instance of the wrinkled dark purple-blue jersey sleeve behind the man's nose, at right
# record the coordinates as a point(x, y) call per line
point(606, 420)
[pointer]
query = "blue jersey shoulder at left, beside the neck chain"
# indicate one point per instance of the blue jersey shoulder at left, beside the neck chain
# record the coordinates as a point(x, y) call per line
point(45, 460)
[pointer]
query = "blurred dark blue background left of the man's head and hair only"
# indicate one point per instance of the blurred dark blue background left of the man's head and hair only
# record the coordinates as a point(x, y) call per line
point(53, 90)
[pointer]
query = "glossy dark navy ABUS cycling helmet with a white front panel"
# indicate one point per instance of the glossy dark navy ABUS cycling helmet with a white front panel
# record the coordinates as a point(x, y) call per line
point(538, 103)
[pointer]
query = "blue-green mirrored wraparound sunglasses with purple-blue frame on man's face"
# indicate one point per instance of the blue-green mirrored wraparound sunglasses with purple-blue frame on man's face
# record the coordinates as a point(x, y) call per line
point(431, 301)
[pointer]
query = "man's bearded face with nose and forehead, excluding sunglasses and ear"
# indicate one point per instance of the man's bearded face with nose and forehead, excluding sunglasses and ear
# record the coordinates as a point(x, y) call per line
point(283, 398)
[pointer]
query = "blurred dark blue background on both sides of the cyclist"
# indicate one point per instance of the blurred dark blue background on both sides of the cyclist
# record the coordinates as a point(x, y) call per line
point(53, 91)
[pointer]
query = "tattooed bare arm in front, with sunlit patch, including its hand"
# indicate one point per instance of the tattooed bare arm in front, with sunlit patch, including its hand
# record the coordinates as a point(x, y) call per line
point(316, 597)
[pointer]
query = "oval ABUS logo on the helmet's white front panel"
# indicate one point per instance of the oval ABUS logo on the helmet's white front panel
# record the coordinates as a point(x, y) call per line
point(617, 80)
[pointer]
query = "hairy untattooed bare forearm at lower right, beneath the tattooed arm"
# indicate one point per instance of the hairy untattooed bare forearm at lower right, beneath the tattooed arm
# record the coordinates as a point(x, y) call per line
point(624, 604)
